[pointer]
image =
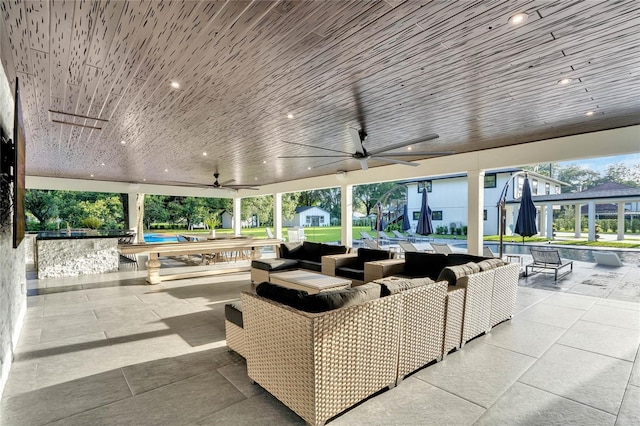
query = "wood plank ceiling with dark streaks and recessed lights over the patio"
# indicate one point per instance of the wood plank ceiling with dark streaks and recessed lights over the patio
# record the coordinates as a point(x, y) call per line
point(458, 69)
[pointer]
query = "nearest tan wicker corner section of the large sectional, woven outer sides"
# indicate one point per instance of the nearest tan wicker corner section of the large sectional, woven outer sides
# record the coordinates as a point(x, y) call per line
point(321, 364)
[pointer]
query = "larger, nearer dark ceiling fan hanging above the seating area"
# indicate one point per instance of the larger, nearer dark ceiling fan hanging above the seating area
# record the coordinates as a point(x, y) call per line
point(361, 154)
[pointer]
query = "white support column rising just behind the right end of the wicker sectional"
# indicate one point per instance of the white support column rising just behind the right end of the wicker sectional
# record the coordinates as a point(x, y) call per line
point(475, 222)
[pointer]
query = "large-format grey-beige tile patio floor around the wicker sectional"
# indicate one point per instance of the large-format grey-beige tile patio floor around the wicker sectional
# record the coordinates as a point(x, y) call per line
point(111, 350)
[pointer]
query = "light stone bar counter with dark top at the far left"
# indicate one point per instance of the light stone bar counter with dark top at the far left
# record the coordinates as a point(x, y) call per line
point(68, 254)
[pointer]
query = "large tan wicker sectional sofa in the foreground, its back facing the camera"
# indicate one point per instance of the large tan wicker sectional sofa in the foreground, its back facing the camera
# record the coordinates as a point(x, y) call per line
point(322, 362)
